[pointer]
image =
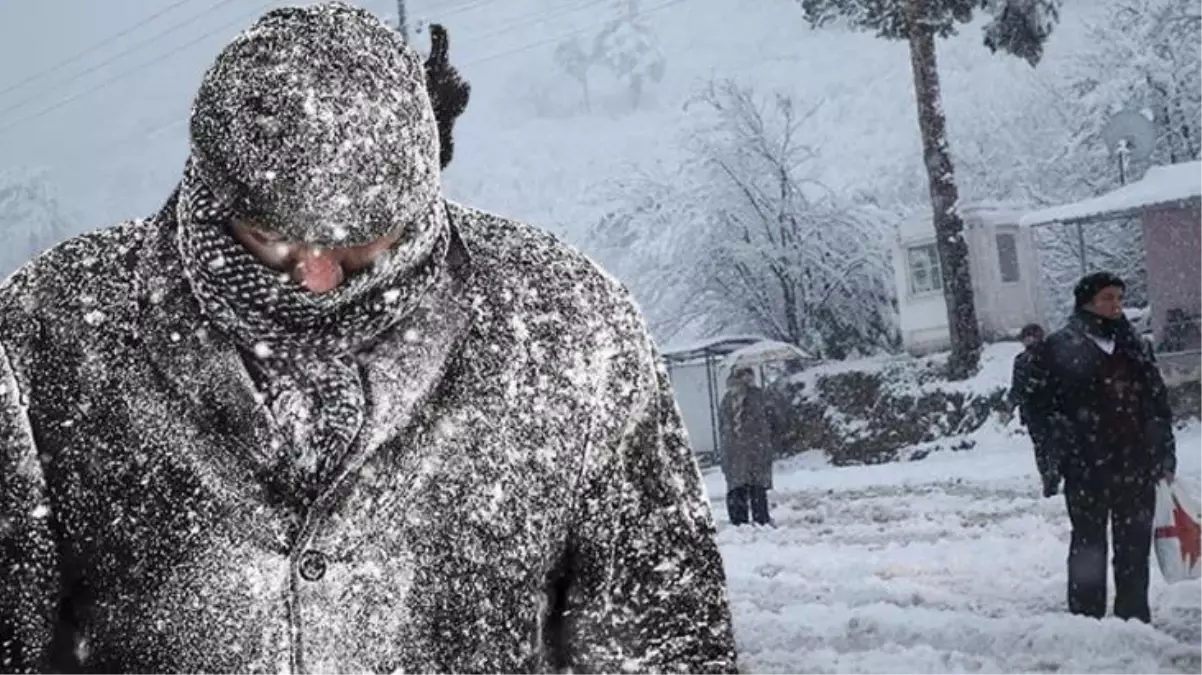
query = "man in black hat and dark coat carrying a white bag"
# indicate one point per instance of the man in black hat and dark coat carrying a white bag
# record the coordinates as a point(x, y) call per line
point(1104, 403)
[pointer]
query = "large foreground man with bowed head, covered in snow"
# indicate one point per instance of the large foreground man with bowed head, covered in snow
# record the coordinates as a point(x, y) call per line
point(314, 419)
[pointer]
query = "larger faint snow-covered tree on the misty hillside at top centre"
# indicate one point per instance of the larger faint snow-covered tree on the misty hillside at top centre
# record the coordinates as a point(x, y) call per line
point(629, 47)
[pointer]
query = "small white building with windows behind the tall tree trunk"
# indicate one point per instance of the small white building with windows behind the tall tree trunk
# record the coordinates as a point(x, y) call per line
point(1005, 277)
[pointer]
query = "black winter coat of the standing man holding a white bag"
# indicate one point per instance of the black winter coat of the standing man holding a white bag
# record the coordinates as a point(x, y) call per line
point(1070, 401)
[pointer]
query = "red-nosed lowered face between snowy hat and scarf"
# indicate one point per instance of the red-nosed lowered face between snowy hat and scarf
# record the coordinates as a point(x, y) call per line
point(318, 268)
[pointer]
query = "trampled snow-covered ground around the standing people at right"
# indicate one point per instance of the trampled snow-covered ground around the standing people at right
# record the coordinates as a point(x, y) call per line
point(950, 565)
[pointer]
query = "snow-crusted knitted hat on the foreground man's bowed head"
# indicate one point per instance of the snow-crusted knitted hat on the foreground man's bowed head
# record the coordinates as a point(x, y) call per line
point(316, 124)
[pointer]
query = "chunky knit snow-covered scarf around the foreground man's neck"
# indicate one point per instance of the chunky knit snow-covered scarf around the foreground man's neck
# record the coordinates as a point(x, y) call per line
point(301, 347)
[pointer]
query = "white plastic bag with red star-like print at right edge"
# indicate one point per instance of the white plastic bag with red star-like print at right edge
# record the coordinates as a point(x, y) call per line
point(1179, 533)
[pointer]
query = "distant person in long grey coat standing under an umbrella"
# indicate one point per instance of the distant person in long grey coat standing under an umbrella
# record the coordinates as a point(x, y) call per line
point(749, 432)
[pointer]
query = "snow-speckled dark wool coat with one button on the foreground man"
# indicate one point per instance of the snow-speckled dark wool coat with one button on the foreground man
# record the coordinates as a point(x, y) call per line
point(522, 495)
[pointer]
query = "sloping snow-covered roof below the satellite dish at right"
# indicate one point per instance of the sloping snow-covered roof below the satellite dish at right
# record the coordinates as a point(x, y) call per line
point(1162, 187)
